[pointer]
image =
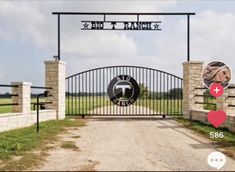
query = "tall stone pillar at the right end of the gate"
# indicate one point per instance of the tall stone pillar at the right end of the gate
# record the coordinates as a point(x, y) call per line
point(191, 79)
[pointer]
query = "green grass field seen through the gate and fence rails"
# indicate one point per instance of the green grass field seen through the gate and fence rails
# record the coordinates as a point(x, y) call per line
point(82, 105)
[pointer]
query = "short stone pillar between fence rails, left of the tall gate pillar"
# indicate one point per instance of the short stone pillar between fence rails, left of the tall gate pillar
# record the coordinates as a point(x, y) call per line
point(23, 90)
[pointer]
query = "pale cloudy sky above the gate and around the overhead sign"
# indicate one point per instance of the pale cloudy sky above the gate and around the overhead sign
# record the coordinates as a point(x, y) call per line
point(28, 36)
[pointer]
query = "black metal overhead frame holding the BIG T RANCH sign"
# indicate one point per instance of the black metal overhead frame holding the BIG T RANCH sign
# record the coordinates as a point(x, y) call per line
point(59, 14)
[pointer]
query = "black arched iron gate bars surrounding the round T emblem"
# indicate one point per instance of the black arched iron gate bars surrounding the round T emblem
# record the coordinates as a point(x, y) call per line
point(160, 92)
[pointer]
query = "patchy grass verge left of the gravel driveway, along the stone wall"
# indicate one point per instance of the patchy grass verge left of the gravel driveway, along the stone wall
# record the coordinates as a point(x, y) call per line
point(24, 148)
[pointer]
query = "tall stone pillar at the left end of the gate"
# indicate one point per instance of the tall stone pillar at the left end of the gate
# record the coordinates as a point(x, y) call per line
point(55, 78)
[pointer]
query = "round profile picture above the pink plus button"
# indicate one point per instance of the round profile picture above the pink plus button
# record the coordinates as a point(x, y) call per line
point(216, 72)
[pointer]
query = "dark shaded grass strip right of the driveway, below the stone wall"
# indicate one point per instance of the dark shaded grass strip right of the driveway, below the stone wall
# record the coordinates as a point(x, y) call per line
point(227, 143)
